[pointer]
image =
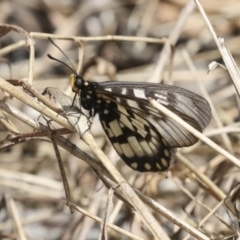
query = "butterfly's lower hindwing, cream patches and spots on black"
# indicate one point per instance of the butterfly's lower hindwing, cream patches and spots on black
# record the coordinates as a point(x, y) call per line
point(138, 143)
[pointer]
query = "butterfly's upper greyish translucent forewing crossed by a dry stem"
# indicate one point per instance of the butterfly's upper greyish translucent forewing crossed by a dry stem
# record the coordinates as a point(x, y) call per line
point(191, 107)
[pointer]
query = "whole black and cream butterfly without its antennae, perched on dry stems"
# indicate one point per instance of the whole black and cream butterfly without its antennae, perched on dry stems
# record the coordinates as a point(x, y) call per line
point(145, 139)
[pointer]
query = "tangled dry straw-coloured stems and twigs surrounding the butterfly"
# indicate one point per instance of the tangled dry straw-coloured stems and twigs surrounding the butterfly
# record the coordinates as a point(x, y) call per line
point(171, 41)
